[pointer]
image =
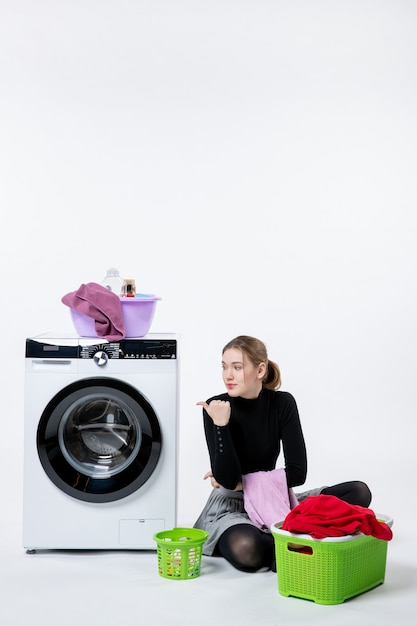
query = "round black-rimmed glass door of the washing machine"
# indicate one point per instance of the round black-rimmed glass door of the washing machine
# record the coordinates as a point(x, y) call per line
point(99, 440)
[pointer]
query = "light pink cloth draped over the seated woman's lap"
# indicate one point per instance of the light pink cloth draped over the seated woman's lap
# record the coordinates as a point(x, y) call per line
point(267, 498)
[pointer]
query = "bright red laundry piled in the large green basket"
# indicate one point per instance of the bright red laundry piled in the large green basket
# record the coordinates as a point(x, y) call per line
point(328, 516)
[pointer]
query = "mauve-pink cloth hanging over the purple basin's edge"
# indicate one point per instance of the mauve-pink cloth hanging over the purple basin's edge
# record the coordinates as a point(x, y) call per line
point(102, 305)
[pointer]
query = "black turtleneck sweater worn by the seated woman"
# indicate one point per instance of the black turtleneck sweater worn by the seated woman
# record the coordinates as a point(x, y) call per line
point(251, 441)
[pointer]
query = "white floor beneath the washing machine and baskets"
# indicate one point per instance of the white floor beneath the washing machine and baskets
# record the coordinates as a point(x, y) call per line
point(108, 588)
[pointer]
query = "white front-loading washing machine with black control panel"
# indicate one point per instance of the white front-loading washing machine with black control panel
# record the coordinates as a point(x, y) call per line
point(100, 442)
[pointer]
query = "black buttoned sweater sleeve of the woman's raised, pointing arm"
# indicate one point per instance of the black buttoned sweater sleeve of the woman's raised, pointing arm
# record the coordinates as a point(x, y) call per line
point(224, 461)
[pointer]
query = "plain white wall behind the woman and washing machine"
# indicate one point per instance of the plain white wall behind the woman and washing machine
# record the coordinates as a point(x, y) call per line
point(251, 162)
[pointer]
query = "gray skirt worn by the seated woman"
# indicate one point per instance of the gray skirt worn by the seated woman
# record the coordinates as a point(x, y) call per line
point(224, 508)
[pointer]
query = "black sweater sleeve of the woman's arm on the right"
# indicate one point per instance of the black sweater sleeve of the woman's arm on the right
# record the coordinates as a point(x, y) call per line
point(293, 444)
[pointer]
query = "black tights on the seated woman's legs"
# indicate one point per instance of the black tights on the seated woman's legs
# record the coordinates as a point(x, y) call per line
point(249, 549)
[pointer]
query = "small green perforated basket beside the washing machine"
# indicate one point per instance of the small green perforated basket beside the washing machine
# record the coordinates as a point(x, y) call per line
point(179, 552)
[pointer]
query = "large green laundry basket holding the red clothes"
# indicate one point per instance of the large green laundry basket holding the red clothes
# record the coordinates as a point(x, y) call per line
point(331, 570)
